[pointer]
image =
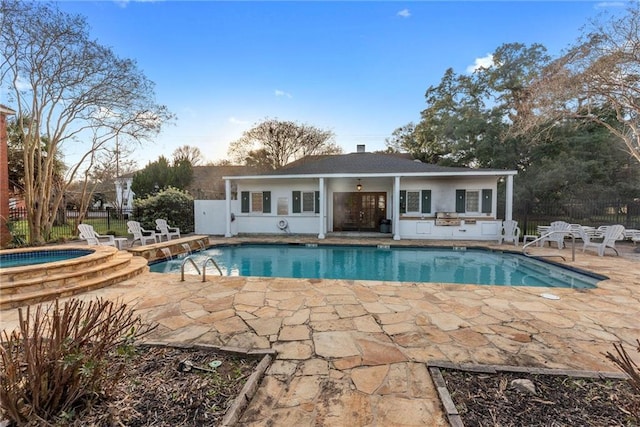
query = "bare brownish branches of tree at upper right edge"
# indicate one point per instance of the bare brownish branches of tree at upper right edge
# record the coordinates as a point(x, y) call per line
point(599, 73)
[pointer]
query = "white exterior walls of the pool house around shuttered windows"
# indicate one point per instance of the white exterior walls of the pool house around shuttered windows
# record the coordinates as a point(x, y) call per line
point(473, 225)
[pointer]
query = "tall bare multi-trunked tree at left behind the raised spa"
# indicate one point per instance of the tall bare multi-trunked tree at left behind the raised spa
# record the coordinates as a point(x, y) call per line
point(72, 90)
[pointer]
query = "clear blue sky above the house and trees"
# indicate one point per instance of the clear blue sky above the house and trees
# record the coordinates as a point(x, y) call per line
point(359, 69)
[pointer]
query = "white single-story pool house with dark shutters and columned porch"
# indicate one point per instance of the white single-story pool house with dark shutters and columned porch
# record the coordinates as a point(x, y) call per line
point(368, 192)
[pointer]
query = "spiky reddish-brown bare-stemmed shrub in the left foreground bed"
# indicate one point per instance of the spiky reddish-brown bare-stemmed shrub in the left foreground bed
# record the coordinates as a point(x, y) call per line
point(63, 357)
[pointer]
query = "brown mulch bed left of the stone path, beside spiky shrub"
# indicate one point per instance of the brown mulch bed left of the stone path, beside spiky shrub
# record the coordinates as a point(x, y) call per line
point(166, 386)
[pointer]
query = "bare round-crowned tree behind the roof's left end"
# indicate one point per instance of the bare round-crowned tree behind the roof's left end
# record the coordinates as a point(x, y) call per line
point(273, 143)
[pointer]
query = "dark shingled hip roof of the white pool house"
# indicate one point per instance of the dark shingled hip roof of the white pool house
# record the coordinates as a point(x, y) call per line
point(369, 164)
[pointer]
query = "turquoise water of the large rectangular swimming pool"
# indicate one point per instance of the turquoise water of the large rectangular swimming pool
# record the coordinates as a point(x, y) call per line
point(396, 264)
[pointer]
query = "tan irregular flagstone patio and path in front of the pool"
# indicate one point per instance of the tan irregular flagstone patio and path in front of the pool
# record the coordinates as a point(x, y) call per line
point(353, 353)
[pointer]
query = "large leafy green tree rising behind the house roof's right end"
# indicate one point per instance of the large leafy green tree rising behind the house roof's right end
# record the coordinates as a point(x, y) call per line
point(467, 116)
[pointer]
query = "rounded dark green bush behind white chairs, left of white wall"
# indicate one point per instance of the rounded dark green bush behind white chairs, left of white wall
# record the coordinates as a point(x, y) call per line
point(171, 204)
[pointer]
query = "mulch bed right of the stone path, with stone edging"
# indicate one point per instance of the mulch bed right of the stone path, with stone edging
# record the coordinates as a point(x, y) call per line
point(489, 397)
